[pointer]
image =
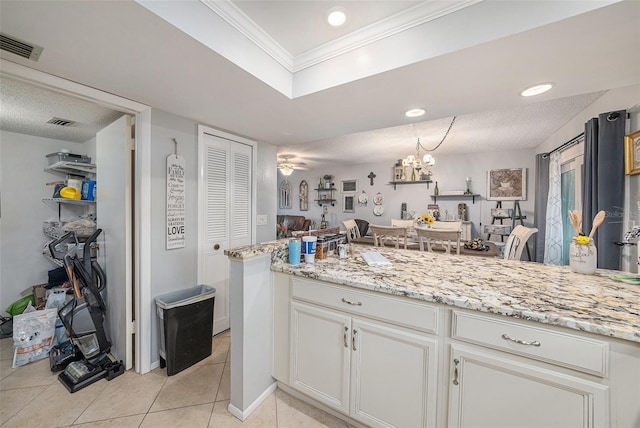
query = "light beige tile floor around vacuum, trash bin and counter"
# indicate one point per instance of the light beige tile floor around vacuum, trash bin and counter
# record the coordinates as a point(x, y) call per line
point(32, 396)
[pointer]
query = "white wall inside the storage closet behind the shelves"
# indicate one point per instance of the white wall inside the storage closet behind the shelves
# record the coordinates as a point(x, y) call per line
point(23, 187)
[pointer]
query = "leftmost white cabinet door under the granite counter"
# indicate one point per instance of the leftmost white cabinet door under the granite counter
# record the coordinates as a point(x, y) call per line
point(320, 343)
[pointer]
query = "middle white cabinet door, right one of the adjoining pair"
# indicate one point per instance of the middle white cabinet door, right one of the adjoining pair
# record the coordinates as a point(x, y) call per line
point(393, 376)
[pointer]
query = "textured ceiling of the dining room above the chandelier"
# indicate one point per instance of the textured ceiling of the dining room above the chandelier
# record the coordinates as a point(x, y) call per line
point(520, 127)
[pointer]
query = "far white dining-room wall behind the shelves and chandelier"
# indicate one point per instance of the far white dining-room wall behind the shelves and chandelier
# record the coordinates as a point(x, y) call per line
point(450, 172)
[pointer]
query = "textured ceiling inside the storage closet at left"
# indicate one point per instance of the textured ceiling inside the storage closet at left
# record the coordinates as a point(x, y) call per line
point(25, 109)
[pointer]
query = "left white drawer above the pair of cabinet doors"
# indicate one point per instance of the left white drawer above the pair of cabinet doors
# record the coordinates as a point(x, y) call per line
point(417, 315)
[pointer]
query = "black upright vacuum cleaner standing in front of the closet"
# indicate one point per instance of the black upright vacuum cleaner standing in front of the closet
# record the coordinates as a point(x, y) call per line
point(84, 359)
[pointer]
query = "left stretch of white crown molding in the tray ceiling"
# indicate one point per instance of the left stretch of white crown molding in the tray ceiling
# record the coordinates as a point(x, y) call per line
point(248, 28)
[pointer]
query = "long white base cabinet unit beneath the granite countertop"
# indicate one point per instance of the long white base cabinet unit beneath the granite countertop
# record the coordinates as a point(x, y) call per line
point(385, 360)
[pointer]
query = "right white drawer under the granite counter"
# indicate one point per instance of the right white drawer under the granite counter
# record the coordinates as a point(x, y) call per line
point(563, 349)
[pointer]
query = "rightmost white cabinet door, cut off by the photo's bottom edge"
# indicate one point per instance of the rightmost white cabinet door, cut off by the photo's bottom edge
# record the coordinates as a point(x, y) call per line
point(487, 390)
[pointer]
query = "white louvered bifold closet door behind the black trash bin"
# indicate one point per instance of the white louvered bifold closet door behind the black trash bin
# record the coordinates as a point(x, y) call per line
point(225, 217)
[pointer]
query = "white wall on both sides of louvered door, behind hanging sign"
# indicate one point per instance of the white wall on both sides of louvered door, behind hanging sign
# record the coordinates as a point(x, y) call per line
point(178, 268)
